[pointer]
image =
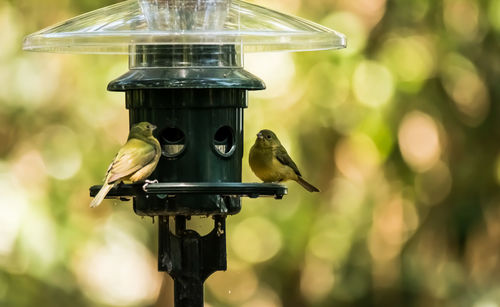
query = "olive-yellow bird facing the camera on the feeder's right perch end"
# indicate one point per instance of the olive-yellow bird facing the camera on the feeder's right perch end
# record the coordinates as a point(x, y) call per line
point(271, 163)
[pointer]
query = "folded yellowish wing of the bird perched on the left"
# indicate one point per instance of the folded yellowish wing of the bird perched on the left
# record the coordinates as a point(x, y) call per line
point(134, 155)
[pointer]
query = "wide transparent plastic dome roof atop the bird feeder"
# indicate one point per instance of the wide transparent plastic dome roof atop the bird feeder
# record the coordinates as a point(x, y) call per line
point(116, 29)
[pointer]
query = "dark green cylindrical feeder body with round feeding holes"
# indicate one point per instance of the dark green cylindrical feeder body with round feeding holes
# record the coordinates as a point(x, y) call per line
point(199, 114)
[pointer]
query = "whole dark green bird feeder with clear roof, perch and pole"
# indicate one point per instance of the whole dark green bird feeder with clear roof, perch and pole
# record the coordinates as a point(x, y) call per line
point(186, 77)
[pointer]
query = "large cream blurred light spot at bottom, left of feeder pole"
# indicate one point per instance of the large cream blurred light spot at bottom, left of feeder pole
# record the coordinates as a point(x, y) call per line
point(119, 272)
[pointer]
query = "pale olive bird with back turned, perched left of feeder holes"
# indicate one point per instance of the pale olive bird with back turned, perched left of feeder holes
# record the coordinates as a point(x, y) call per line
point(135, 160)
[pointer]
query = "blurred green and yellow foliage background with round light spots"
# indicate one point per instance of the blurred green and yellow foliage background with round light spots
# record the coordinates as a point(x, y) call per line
point(400, 131)
